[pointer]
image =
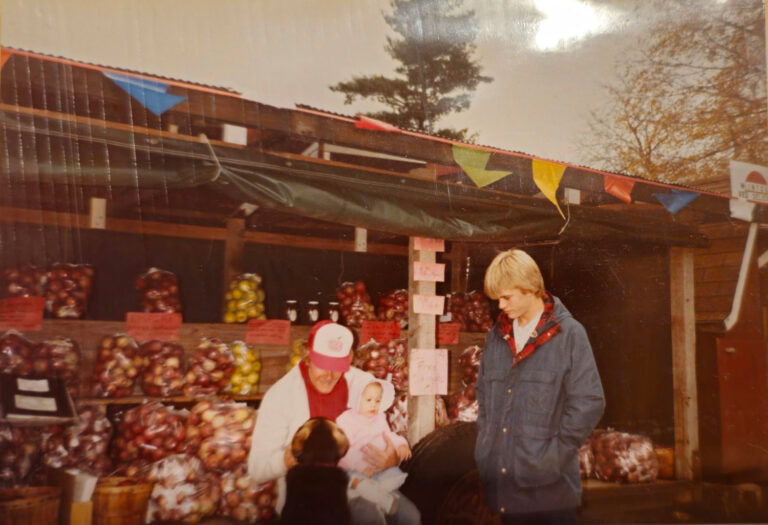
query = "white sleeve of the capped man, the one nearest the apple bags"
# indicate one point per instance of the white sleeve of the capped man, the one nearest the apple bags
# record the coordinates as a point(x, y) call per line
point(265, 460)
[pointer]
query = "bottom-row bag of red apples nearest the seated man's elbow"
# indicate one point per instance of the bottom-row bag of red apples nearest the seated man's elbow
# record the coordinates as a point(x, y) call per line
point(245, 500)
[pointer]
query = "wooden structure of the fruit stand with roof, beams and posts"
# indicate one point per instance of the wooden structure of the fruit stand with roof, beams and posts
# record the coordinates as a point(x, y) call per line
point(213, 111)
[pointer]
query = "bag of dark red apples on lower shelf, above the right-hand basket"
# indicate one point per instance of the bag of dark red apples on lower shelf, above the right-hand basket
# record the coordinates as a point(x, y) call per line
point(149, 432)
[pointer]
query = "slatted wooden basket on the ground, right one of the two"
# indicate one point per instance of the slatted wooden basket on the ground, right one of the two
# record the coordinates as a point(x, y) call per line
point(120, 501)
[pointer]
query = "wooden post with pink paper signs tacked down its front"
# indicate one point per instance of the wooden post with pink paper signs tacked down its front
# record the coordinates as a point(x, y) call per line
point(421, 334)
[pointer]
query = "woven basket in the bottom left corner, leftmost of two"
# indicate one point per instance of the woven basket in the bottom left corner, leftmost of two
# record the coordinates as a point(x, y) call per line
point(30, 506)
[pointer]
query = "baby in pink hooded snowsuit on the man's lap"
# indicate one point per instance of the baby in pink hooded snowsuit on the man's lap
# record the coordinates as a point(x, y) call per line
point(365, 423)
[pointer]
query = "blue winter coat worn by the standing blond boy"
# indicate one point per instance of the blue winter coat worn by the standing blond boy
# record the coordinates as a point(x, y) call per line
point(533, 418)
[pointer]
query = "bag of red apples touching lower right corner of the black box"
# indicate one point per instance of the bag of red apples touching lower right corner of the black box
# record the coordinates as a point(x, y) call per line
point(82, 445)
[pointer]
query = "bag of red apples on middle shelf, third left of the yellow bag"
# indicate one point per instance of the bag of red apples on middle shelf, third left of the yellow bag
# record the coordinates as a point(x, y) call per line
point(118, 365)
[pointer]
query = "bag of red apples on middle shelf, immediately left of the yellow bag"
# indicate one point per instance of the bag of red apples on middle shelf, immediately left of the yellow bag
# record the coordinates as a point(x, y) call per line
point(210, 368)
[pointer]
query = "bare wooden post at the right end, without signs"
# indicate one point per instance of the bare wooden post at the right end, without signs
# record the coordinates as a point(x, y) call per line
point(687, 460)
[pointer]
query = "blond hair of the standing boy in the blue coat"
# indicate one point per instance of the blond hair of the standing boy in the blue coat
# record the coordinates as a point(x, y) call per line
point(513, 269)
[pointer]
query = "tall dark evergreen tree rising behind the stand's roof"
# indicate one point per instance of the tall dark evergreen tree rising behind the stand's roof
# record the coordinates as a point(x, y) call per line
point(437, 72)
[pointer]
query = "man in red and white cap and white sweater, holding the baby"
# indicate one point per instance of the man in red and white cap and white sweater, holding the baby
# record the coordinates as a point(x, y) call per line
point(318, 387)
